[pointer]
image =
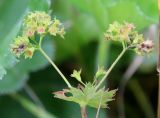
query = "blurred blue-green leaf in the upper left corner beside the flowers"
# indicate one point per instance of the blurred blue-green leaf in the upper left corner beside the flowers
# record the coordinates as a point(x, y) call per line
point(7, 32)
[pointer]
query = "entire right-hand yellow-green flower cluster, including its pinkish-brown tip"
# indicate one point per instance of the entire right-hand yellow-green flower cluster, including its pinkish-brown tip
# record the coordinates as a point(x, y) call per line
point(127, 34)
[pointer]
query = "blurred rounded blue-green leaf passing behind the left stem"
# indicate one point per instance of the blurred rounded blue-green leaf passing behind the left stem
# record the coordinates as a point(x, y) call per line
point(17, 76)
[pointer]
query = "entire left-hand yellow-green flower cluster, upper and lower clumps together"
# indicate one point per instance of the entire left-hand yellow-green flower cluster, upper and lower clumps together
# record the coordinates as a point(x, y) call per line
point(35, 23)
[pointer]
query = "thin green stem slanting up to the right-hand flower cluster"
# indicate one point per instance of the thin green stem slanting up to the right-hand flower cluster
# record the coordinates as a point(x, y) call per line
point(111, 67)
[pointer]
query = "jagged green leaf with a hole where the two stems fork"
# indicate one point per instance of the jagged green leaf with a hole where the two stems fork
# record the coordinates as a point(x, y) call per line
point(87, 96)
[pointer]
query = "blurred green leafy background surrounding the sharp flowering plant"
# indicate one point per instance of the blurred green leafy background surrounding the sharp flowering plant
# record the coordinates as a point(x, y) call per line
point(27, 85)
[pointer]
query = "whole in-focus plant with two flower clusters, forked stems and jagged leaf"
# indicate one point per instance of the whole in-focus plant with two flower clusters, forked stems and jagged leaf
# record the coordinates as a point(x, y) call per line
point(37, 25)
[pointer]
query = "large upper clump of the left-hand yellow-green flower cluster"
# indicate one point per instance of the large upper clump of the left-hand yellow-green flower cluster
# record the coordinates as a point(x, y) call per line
point(41, 23)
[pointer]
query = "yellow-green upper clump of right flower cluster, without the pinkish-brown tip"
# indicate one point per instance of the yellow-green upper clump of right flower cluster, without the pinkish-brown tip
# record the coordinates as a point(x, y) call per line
point(124, 33)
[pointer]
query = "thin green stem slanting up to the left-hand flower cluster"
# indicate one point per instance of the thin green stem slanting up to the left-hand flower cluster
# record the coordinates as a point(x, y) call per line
point(57, 69)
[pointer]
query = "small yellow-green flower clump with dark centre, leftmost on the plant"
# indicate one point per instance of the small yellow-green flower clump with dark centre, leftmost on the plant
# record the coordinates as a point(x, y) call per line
point(19, 46)
